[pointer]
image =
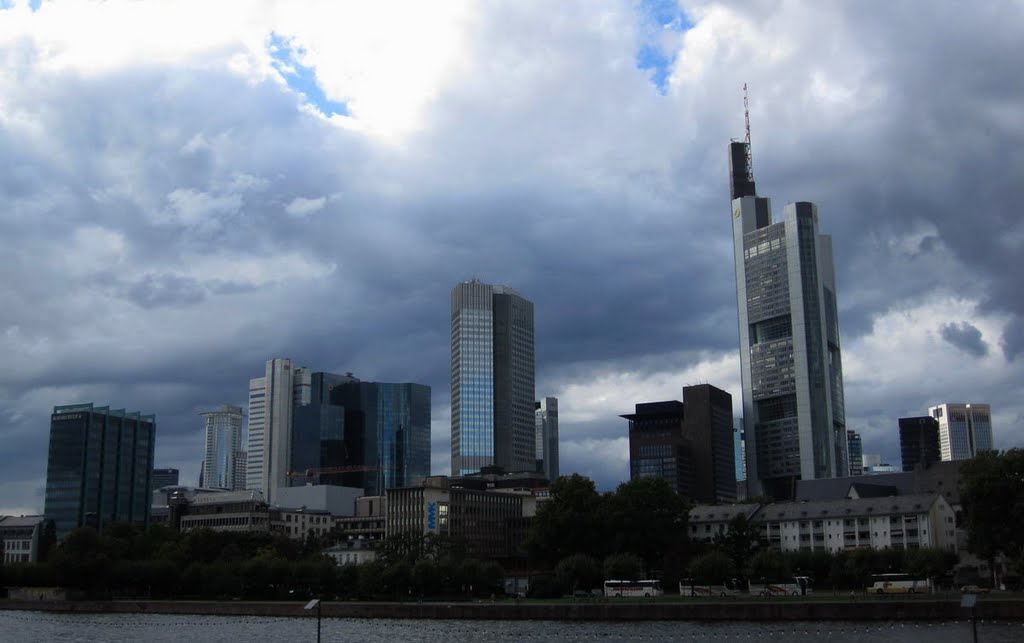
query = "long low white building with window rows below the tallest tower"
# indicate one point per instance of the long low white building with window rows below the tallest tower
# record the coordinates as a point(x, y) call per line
point(917, 522)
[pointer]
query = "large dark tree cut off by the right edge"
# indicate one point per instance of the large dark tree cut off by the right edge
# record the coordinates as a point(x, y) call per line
point(993, 497)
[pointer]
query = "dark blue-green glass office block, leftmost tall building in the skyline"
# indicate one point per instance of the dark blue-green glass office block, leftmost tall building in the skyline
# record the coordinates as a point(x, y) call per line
point(100, 467)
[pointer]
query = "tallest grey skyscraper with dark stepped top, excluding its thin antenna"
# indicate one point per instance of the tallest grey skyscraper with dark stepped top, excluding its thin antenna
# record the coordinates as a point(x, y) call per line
point(791, 363)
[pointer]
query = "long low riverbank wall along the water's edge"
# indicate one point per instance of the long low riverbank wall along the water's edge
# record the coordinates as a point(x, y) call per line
point(988, 609)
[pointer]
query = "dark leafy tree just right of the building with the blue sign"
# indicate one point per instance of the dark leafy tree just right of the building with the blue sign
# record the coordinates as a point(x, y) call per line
point(569, 524)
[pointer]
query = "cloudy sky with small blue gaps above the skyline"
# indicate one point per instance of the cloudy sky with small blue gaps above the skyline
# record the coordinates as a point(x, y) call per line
point(191, 189)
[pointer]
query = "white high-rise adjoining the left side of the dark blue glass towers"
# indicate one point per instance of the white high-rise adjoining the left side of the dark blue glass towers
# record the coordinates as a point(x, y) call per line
point(272, 399)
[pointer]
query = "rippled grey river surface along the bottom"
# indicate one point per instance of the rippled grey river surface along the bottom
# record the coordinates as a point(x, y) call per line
point(29, 627)
